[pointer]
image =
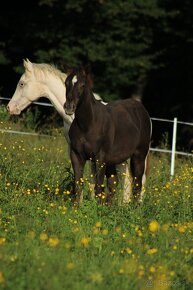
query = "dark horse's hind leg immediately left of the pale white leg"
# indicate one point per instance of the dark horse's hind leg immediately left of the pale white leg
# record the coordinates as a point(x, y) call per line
point(112, 181)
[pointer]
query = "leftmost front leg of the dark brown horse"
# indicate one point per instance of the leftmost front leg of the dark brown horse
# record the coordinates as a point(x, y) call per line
point(78, 164)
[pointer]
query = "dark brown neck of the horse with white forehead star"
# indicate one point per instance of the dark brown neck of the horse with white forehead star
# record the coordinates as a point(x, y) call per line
point(85, 112)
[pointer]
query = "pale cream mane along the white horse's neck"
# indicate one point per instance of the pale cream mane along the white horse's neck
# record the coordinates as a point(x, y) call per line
point(45, 68)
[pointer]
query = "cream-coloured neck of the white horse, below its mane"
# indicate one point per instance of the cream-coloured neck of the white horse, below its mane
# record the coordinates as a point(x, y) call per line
point(56, 92)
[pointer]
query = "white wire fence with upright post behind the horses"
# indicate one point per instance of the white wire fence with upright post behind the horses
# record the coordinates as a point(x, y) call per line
point(171, 151)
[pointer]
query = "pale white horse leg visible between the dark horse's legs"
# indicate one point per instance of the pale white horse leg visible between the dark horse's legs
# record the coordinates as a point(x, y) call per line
point(126, 181)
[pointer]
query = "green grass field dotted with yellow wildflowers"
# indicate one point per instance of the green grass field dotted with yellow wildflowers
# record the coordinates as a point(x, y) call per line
point(47, 244)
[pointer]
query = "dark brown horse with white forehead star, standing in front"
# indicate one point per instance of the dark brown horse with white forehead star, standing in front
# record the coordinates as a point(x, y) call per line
point(108, 135)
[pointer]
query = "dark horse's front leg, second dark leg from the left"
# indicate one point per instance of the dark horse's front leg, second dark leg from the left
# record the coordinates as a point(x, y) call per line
point(99, 185)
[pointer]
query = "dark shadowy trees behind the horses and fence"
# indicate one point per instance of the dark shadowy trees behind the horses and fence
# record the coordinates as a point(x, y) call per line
point(140, 47)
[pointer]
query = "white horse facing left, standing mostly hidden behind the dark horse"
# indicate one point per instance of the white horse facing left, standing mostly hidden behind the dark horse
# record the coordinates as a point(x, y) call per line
point(45, 80)
